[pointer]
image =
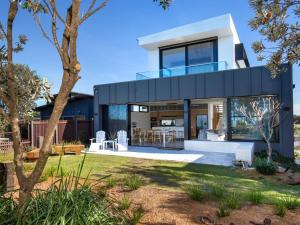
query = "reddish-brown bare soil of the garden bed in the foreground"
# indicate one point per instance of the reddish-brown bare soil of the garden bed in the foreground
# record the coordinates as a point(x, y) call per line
point(169, 208)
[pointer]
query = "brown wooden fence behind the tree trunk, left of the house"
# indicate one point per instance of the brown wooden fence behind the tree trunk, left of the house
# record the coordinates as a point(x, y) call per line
point(66, 131)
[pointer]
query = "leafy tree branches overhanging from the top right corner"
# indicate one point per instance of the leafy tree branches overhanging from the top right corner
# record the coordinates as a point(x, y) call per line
point(278, 22)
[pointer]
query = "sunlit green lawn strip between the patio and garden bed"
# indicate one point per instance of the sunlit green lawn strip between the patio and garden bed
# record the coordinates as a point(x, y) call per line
point(175, 175)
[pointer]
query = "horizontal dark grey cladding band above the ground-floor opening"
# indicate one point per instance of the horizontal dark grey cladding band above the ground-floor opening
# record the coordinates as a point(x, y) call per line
point(230, 83)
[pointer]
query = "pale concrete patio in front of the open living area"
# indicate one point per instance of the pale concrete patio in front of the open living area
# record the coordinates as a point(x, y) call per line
point(189, 156)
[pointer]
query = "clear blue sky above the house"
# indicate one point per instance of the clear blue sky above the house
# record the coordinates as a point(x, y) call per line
point(107, 47)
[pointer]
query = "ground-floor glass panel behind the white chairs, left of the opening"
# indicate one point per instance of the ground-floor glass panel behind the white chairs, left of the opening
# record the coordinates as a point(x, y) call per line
point(115, 118)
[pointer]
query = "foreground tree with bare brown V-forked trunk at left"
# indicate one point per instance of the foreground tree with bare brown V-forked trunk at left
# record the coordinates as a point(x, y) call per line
point(66, 47)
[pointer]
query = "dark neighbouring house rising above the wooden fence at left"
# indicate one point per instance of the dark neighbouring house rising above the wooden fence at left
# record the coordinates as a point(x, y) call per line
point(79, 106)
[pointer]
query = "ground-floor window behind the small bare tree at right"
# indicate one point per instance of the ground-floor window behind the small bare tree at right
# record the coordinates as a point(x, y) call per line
point(241, 127)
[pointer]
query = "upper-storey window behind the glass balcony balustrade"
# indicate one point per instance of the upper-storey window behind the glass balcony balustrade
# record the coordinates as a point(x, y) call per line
point(189, 59)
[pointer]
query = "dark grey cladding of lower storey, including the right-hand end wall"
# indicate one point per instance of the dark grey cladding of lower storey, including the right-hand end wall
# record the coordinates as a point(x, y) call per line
point(224, 84)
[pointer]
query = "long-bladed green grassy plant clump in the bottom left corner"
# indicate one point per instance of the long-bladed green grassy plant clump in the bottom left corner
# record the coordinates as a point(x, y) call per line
point(69, 200)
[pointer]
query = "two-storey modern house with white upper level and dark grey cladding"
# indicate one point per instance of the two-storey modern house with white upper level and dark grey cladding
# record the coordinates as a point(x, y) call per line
point(197, 77)
